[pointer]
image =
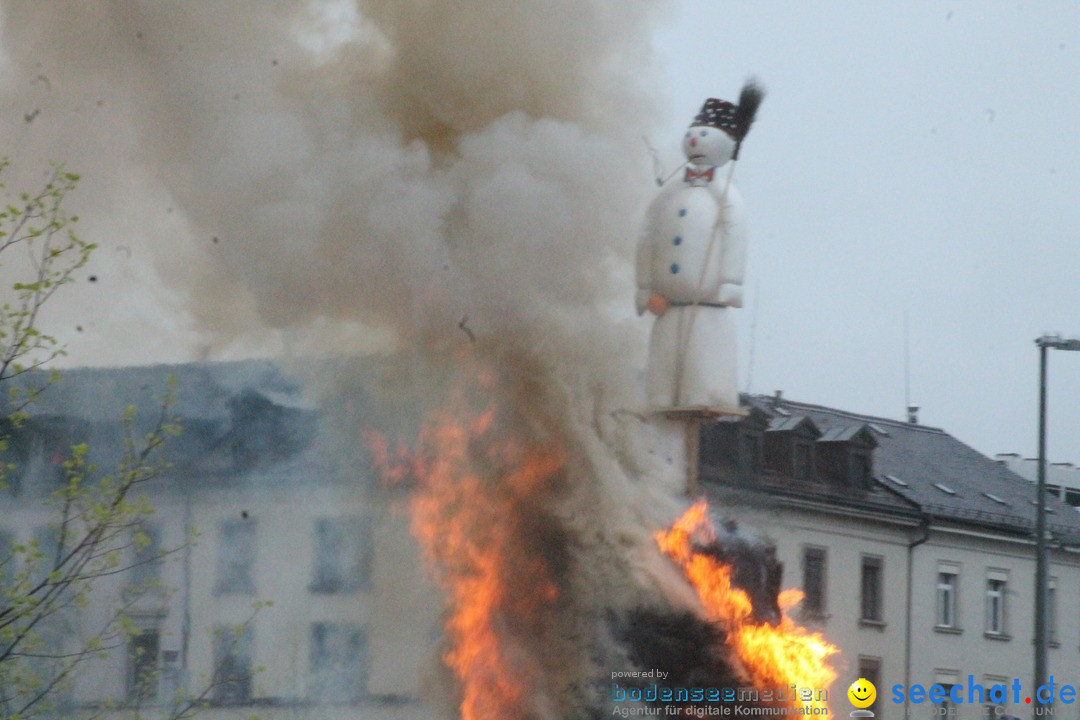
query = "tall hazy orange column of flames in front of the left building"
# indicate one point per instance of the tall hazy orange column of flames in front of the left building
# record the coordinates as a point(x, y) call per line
point(474, 513)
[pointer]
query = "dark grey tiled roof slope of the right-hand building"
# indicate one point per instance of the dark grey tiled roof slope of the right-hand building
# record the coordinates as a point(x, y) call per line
point(942, 477)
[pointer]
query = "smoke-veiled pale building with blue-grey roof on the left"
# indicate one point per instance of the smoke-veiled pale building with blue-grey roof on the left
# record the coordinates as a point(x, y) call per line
point(274, 577)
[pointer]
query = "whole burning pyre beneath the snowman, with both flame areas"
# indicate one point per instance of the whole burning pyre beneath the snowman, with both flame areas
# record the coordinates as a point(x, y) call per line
point(494, 493)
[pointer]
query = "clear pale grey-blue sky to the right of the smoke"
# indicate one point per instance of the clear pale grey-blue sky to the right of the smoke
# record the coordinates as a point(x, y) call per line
point(917, 158)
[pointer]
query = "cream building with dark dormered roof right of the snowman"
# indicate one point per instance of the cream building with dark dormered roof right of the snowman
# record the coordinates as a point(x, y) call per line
point(915, 553)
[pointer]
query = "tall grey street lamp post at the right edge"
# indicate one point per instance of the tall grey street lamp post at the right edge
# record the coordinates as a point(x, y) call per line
point(1042, 585)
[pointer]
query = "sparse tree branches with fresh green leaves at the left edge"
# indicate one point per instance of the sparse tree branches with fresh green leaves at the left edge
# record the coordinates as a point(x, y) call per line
point(98, 519)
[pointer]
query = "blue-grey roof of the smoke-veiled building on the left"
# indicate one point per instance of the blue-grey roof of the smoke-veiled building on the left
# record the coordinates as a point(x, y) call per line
point(242, 422)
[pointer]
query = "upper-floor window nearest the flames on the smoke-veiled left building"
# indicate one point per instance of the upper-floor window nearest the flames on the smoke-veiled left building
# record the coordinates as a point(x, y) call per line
point(343, 555)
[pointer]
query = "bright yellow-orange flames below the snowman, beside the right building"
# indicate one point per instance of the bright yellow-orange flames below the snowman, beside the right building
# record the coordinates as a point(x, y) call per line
point(774, 656)
